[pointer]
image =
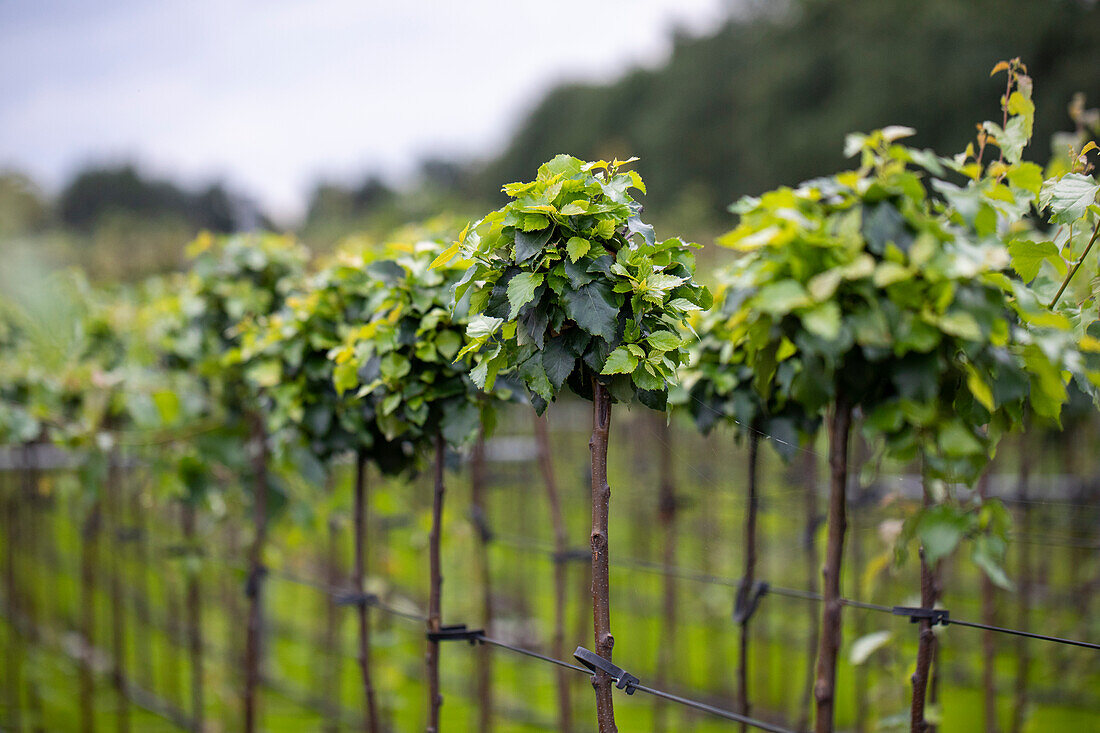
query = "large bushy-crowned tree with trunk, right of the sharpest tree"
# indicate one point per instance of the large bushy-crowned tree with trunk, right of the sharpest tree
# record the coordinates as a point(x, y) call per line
point(856, 292)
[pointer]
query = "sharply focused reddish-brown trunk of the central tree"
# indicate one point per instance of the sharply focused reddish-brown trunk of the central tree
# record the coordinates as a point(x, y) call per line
point(601, 572)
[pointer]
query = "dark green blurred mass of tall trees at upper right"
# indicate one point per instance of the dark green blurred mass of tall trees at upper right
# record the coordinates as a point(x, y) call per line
point(769, 96)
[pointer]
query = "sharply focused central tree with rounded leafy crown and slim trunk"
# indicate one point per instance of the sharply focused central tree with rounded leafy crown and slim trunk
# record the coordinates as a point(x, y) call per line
point(569, 287)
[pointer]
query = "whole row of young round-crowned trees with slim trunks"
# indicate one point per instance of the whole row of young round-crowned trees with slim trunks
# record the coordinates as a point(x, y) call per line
point(923, 298)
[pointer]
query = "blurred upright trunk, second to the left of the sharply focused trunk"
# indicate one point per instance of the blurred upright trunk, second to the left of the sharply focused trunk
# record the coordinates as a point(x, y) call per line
point(478, 511)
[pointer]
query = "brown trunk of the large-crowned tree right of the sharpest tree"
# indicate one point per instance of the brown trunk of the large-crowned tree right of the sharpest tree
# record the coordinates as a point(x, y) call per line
point(840, 426)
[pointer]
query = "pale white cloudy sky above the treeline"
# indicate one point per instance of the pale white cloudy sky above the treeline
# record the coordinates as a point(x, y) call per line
point(272, 94)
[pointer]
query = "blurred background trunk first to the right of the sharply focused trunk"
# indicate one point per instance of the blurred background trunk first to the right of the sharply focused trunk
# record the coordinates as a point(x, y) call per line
point(667, 518)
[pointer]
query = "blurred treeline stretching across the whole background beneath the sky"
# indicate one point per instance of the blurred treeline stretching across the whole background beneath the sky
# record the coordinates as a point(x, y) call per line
point(763, 102)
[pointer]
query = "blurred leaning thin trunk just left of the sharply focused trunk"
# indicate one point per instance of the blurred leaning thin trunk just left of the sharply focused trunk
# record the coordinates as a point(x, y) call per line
point(560, 590)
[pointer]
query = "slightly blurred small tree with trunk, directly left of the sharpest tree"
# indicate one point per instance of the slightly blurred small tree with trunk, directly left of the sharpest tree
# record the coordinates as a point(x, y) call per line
point(400, 364)
